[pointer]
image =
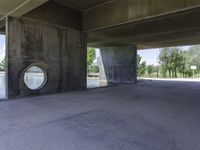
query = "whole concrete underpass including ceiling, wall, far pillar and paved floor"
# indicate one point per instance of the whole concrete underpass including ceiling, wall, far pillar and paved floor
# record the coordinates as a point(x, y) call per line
point(50, 37)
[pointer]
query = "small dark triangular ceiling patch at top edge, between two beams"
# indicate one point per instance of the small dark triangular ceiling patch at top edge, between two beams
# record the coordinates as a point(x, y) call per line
point(82, 4)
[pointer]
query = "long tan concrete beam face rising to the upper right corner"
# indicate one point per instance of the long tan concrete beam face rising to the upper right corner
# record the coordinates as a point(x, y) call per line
point(120, 12)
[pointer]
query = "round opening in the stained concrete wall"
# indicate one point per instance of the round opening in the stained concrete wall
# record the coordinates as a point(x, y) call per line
point(35, 78)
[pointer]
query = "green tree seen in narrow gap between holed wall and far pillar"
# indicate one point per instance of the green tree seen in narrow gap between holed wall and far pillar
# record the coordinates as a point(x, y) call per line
point(91, 55)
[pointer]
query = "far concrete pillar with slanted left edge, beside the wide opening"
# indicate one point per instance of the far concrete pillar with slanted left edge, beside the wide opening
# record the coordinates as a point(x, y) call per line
point(118, 64)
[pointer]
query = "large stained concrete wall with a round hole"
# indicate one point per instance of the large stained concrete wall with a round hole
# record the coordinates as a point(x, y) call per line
point(58, 50)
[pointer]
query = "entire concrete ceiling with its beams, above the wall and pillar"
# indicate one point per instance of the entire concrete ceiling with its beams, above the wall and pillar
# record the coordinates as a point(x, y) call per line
point(145, 23)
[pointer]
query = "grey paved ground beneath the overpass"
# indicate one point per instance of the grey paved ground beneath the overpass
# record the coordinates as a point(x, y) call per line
point(152, 115)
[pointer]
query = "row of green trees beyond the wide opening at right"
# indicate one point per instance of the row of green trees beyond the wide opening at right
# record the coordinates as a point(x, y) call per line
point(173, 62)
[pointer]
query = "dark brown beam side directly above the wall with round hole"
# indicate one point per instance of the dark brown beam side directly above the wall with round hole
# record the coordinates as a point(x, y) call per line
point(57, 14)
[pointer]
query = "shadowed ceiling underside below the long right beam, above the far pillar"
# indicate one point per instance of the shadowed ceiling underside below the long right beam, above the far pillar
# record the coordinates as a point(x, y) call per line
point(172, 30)
